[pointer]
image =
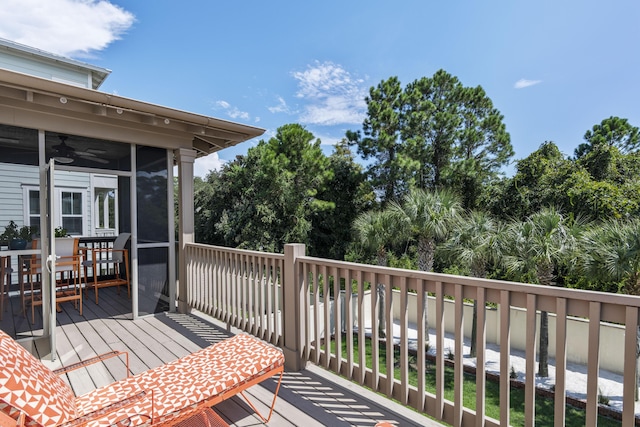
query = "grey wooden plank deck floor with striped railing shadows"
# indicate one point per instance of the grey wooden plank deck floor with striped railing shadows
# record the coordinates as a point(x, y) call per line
point(311, 397)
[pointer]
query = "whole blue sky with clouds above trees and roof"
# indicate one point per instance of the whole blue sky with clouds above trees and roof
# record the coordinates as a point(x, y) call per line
point(552, 68)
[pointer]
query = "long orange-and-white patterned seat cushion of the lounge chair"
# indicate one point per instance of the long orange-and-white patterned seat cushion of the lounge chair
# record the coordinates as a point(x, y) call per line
point(217, 370)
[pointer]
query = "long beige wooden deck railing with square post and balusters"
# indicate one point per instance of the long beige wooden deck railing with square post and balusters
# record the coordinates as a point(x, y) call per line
point(324, 311)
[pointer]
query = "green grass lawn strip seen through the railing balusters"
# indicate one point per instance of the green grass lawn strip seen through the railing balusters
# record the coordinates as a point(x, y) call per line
point(544, 406)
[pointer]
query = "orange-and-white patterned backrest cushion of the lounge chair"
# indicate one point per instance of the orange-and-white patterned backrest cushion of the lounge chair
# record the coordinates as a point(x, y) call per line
point(28, 385)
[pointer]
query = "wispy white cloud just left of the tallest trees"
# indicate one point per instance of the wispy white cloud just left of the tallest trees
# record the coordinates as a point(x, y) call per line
point(332, 95)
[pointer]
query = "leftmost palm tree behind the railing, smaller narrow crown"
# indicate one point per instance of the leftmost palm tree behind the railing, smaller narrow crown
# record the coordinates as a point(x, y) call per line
point(375, 231)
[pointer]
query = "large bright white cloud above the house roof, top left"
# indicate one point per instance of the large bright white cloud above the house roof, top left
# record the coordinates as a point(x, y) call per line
point(64, 27)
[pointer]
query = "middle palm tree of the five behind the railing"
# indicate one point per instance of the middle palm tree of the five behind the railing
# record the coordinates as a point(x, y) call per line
point(476, 243)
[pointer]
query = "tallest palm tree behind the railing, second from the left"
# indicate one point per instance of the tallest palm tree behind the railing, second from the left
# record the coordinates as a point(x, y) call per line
point(426, 217)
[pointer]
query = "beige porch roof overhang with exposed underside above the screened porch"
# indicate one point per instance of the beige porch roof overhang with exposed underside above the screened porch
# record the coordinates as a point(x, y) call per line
point(34, 102)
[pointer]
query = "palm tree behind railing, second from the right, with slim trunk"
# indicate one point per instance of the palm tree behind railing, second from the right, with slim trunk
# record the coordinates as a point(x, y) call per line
point(537, 248)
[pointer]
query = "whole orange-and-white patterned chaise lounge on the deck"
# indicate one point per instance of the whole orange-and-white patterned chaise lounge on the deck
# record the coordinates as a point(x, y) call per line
point(32, 394)
